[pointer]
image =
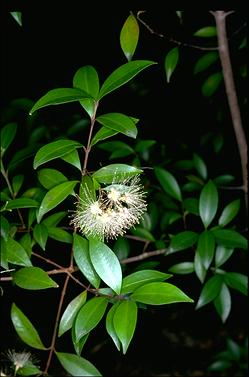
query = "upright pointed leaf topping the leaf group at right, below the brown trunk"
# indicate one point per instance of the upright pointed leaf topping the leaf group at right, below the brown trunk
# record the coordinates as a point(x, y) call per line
point(208, 203)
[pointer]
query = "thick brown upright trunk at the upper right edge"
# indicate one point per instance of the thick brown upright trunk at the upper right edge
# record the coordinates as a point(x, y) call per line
point(220, 19)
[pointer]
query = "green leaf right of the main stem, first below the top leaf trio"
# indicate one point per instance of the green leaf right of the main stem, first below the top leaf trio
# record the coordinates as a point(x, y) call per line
point(118, 122)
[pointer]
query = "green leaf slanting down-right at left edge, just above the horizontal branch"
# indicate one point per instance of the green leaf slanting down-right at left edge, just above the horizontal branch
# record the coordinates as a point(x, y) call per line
point(16, 254)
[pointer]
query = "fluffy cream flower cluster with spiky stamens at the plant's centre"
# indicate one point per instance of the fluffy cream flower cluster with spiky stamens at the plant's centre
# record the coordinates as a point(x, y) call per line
point(118, 208)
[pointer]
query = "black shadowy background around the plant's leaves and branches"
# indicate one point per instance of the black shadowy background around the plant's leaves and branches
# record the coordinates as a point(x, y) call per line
point(44, 54)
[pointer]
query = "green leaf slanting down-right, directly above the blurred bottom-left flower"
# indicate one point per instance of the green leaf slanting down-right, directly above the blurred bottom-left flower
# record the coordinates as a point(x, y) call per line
point(25, 329)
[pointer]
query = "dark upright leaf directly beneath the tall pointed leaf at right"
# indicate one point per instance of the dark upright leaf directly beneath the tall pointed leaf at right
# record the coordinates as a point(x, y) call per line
point(206, 248)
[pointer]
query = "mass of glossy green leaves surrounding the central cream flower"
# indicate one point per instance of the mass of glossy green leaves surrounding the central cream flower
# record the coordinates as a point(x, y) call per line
point(186, 215)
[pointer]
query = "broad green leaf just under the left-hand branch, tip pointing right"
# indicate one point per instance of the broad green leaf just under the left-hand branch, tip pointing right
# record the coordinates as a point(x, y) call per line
point(33, 278)
